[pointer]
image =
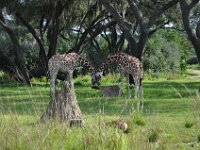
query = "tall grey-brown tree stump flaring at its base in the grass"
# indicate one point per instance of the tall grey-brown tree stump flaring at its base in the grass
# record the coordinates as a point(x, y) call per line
point(64, 107)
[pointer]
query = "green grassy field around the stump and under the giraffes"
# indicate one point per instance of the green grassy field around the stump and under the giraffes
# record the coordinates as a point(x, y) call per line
point(170, 118)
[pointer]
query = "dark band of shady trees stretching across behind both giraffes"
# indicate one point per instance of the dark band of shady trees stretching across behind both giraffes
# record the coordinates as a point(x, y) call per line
point(33, 31)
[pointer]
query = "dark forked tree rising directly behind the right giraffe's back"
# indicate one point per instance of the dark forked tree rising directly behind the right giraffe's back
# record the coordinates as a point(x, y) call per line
point(146, 28)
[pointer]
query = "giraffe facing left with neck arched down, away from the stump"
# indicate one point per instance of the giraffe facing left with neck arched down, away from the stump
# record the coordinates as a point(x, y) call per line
point(127, 65)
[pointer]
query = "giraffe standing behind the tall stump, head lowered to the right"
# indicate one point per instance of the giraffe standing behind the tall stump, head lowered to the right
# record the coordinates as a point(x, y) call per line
point(66, 63)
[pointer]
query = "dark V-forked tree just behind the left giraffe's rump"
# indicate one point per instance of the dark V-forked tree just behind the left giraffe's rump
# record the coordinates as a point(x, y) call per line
point(49, 23)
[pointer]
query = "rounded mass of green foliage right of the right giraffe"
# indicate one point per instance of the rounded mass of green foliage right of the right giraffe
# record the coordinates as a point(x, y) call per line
point(166, 51)
